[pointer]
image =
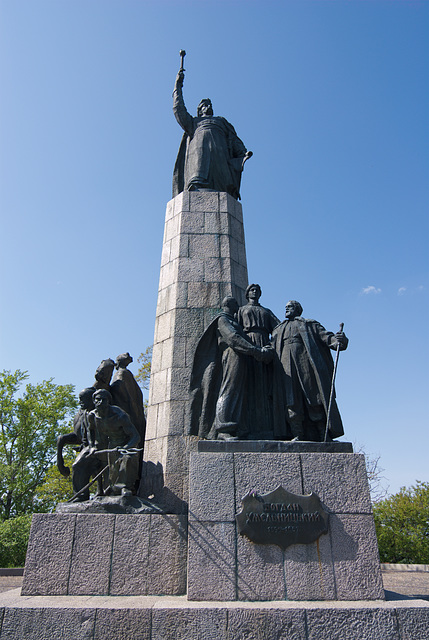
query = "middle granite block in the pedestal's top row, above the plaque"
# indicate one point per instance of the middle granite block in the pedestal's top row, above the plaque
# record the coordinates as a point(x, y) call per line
point(264, 472)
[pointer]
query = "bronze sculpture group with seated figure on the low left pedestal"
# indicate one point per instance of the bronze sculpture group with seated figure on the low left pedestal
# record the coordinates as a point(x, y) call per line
point(109, 429)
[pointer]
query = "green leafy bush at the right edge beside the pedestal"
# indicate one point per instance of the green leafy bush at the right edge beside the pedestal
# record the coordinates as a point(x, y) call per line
point(402, 525)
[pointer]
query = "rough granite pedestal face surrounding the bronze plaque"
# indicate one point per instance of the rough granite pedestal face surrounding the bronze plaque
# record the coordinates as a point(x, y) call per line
point(342, 565)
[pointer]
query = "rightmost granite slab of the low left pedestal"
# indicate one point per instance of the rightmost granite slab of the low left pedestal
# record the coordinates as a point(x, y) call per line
point(166, 568)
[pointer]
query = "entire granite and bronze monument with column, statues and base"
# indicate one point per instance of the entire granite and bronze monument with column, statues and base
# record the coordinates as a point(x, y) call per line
point(261, 523)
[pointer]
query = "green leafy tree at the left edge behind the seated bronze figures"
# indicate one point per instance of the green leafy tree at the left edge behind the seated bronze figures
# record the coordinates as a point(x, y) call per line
point(30, 420)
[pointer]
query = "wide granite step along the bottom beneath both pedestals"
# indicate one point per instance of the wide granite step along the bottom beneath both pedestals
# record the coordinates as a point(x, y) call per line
point(174, 618)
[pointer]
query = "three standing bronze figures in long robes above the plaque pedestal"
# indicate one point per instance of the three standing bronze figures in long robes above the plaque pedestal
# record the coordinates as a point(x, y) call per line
point(254, 377)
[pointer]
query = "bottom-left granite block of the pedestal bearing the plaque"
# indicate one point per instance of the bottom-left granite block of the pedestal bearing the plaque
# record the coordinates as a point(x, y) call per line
point(211, 561)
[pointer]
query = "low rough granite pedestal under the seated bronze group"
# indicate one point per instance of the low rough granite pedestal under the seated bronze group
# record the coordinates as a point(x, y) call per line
point(107, 555)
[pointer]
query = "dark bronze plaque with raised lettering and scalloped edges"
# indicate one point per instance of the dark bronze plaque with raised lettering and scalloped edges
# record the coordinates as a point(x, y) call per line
point(282, 518)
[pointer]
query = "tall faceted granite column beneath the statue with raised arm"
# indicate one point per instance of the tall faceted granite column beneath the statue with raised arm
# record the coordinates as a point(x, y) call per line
point(203, 260)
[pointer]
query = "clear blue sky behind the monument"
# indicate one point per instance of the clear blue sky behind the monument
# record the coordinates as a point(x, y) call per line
point(333, 99)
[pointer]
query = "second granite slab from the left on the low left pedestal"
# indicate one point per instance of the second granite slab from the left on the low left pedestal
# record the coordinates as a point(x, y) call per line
point(91, 555)
